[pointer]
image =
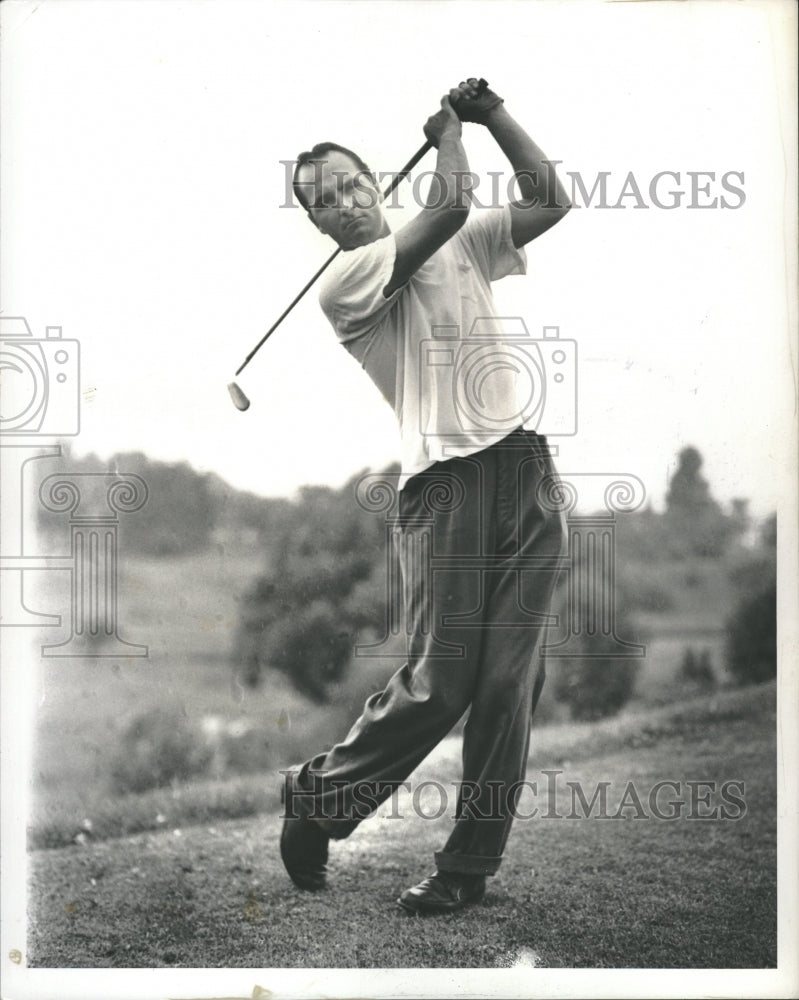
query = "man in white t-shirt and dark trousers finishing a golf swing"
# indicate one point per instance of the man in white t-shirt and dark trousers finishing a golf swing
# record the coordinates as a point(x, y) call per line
point(403, 304)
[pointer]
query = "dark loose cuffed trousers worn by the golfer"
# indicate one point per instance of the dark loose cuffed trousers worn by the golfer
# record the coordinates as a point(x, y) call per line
point(479, 553)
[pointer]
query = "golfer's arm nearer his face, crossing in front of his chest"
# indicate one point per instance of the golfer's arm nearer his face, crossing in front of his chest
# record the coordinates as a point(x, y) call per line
point(447, 207)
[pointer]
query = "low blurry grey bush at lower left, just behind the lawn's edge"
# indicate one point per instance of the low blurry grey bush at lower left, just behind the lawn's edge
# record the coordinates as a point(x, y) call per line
point(158, 748)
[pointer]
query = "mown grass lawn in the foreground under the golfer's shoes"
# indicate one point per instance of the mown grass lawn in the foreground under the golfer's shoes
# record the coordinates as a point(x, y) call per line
point(586, 892)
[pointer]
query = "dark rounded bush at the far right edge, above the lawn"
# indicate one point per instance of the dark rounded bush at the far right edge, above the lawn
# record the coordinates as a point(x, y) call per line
point(752, 637)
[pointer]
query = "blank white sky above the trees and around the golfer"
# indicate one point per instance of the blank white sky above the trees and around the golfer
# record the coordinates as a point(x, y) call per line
point(141, 194)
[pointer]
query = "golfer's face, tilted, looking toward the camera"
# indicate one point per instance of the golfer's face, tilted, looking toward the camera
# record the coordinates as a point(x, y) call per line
point(344, 203)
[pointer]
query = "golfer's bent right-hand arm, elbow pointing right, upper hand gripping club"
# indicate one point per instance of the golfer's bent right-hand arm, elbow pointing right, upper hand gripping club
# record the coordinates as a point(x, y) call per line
point(544, 200)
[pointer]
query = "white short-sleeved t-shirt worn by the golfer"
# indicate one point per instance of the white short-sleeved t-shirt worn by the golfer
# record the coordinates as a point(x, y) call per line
point(434, 347)
